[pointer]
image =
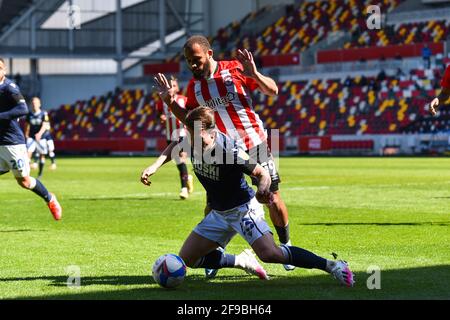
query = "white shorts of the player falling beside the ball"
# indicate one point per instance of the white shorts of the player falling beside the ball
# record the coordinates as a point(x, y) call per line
point(247, 220)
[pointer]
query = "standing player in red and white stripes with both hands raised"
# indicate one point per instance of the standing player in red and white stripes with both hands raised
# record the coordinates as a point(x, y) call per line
point(225, 86)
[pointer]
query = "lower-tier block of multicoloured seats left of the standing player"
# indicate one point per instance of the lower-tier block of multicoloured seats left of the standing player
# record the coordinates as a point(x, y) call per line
point(123, 114)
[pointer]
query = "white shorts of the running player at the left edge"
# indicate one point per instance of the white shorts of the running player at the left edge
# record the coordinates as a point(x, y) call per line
point(15, 158)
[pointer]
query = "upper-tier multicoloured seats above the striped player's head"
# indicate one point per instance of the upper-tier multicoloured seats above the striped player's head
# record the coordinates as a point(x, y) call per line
point(293, 33)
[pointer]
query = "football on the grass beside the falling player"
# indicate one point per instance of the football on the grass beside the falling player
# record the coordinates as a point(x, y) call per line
point(169, 270)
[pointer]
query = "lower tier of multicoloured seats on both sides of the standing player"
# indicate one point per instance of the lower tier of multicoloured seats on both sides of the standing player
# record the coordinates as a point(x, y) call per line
point(361, 105)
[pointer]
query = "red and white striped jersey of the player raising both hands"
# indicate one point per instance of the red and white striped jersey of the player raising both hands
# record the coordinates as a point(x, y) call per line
point(227, 92)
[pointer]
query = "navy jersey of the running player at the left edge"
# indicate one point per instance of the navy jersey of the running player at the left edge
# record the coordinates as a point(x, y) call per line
point(12, 107)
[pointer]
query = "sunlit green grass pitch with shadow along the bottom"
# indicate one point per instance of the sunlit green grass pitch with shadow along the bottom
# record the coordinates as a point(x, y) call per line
point(393, 213)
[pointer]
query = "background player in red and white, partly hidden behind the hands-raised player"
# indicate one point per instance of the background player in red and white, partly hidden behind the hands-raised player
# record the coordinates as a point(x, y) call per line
point(174, 130)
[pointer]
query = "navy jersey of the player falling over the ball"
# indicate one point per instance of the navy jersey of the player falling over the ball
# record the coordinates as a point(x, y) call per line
point(224, 182)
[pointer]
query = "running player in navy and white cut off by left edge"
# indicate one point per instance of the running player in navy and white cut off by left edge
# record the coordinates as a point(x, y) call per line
point(13, 151)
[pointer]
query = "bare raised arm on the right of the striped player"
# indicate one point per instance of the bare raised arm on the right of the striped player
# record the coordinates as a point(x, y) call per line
point(265, 84)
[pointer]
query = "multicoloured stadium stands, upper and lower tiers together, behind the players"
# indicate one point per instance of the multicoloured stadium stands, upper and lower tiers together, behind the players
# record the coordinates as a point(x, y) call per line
point(317, 107)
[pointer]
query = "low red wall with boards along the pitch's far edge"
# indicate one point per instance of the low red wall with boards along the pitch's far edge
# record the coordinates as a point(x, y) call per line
point(336, 145)
